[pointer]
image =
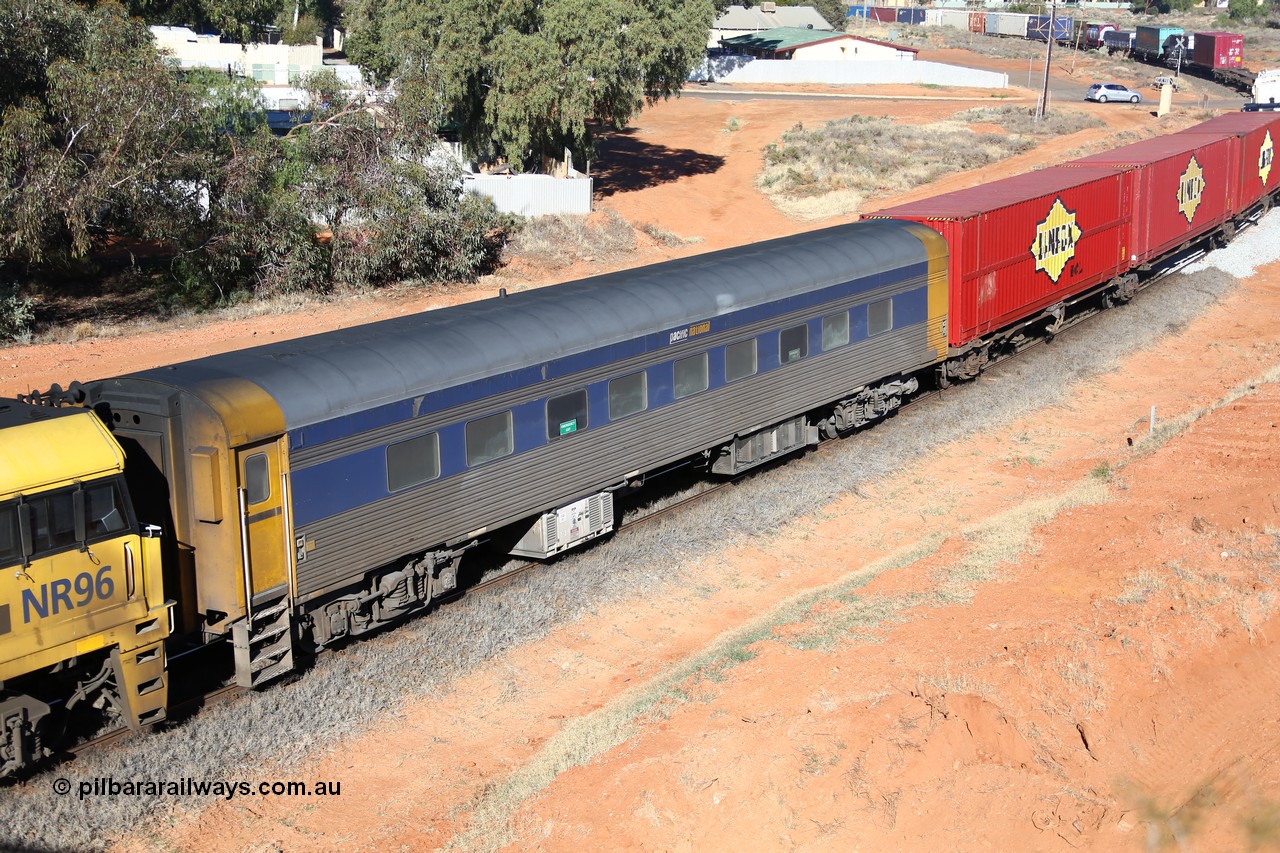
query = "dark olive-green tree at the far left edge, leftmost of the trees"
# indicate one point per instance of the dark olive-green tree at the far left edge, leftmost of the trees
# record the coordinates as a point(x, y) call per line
point(94, 134)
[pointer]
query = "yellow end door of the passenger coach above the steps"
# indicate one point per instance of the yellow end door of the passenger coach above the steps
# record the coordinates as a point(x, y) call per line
point(263, 508)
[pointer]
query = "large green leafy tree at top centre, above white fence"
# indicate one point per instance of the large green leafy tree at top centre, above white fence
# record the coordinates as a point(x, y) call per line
point(525, 80)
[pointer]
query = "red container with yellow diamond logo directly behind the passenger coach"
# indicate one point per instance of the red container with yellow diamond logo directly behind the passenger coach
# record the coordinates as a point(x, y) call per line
point(1027, 243)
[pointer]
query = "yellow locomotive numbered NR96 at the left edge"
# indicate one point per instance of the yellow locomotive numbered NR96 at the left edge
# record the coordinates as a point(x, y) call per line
point(84, 617)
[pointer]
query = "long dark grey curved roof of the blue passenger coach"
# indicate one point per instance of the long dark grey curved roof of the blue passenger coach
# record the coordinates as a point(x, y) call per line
point(346, 371)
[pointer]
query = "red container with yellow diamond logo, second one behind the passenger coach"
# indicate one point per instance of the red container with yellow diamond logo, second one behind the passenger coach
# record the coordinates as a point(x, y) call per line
point(1185, 188)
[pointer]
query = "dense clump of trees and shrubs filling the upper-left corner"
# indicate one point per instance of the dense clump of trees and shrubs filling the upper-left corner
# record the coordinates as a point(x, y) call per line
point(103, 140)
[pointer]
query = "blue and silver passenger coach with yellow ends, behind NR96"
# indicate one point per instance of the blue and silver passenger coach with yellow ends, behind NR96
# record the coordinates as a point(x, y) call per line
point(326, 486)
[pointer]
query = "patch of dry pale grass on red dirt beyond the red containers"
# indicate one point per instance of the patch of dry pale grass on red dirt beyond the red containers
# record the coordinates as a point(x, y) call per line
point(834, 168)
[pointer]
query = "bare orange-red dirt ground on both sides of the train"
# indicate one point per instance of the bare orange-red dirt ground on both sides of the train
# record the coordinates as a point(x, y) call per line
point(1108, 685)
